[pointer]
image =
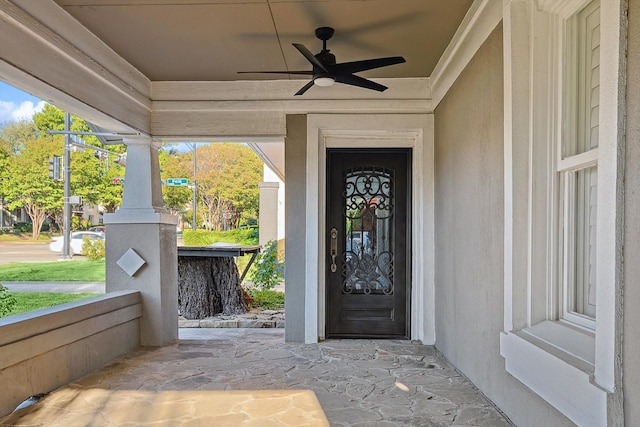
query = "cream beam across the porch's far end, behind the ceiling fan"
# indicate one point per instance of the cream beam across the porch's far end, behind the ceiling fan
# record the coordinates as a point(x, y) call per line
point(258, 109)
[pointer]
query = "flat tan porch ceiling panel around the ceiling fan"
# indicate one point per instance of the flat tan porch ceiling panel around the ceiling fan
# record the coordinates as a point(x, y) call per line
point(211, 40)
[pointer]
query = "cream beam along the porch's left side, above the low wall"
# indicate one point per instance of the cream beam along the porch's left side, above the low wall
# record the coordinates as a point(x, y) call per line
point(42, 48)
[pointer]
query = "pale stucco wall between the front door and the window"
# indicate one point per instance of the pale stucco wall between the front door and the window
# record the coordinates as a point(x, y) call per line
point(469, 199)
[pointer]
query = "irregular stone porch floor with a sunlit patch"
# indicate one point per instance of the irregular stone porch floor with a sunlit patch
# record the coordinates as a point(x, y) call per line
point(251, 377)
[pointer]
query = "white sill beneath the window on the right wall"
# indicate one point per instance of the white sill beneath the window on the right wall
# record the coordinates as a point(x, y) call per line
point(561, 378)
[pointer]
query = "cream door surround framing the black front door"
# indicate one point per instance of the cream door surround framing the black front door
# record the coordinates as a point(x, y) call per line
point(413, 131)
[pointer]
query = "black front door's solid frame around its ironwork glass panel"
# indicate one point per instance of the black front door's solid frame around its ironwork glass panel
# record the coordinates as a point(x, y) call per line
point(398, 161)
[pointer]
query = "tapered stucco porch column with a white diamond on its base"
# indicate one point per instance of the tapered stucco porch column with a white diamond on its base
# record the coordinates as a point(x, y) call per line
point(141, 245)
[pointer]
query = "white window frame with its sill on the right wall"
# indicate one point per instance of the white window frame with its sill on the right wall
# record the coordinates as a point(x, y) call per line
point(575, 369)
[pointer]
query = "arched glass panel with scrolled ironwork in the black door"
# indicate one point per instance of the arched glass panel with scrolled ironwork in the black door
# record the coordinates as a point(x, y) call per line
point(368, 253)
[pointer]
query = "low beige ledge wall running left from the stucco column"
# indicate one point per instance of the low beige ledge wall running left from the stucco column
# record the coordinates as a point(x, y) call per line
point(45, 349)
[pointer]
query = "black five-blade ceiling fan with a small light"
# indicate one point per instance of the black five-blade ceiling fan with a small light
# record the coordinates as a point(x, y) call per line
point(326, 72)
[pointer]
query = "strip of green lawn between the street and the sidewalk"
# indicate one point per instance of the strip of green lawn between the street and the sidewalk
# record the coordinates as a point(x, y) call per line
point(57, 271)
